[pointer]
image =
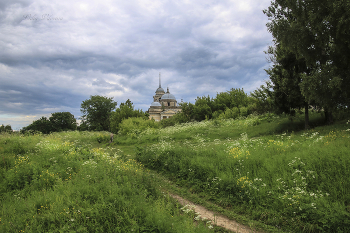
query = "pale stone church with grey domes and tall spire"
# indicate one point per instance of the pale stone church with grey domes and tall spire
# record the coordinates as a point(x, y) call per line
point(164, 105)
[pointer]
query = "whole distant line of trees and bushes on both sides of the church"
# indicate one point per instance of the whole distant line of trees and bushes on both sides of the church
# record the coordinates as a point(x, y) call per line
point(101, 113)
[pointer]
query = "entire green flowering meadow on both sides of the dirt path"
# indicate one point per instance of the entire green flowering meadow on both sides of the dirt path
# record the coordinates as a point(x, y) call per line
point(264, 171)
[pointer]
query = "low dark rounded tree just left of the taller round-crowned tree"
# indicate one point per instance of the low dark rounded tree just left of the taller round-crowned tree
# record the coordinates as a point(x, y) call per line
point(63, 121)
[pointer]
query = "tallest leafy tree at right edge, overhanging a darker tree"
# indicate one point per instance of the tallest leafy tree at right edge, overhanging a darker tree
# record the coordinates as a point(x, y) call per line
point(319, 32)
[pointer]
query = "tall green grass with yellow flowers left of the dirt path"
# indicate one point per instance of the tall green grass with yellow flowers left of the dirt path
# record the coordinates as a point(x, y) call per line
point(73, 182)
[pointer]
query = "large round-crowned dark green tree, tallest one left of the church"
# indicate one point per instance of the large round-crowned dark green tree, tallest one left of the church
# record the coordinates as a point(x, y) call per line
point(97, 111)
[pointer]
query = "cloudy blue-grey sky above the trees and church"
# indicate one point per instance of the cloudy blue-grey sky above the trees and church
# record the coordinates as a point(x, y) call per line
point(56, 54)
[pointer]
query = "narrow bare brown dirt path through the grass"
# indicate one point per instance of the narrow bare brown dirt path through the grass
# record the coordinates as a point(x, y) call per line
point(215, 218)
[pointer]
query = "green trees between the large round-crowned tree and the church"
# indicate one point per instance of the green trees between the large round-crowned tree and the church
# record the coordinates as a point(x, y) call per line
point(125, 111)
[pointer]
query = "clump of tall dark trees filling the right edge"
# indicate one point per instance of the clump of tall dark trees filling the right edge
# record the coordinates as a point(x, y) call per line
point(310, 55)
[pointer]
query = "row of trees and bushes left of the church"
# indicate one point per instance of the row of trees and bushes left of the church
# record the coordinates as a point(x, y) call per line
point(99, 113)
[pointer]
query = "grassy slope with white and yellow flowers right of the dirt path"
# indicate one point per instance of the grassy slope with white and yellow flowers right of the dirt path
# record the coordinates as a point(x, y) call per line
point(296, 181)
